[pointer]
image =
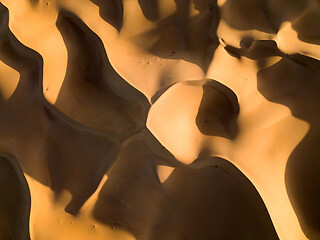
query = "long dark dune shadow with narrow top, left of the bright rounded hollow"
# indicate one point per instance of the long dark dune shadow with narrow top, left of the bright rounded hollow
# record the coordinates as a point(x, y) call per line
point(92, 92)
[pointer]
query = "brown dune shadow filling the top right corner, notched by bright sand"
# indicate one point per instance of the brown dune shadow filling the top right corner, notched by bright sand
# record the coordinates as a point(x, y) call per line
point(267, 16)
